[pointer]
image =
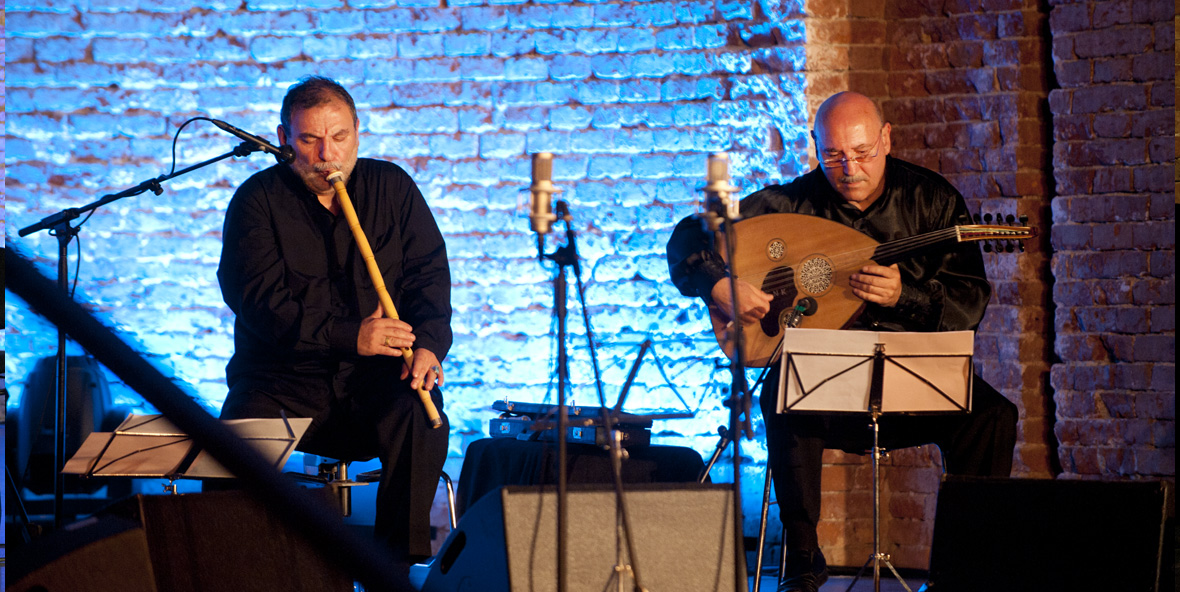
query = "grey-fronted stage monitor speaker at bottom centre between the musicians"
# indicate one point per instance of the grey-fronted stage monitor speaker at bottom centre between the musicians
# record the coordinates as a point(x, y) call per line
point(684, 537)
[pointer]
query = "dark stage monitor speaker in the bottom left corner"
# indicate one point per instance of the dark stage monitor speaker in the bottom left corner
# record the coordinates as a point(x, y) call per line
point(97, 555)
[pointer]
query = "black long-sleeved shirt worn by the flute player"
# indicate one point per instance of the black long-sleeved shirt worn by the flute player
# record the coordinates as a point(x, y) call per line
point(292, 272)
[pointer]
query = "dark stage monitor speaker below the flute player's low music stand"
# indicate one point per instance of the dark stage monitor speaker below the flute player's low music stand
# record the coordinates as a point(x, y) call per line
point(228, 542)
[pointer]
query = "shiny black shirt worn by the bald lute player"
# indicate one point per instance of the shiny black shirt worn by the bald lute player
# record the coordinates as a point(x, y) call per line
point(941, 292)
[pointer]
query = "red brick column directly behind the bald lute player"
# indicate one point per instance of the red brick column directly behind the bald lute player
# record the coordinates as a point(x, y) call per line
point(965, 87)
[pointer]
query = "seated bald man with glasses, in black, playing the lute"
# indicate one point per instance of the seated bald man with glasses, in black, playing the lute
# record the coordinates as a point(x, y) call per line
point(858, 185)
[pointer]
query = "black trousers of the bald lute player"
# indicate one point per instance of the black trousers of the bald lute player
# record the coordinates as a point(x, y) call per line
point(978, 444)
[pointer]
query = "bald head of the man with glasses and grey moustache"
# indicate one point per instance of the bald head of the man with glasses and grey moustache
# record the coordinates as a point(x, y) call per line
point(851, 143)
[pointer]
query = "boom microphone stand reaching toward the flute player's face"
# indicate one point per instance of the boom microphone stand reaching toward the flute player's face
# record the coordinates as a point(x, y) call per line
point(58, 226)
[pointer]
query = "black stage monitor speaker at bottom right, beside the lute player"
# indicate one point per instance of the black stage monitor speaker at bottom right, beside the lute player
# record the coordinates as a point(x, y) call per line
point(1038, 535)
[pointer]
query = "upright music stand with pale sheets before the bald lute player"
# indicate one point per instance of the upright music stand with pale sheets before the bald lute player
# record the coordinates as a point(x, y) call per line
point(851, 372)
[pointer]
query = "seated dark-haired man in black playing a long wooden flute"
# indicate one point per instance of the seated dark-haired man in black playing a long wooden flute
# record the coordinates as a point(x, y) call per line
point(310, 336)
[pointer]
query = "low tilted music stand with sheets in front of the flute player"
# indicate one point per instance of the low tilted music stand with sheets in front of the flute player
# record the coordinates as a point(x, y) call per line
point(152, 446)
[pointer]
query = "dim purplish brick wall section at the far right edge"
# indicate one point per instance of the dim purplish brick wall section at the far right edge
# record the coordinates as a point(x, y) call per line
point(1115, 239)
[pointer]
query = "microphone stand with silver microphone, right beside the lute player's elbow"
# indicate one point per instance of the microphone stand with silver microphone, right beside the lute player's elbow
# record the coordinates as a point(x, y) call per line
point(722, 213)
